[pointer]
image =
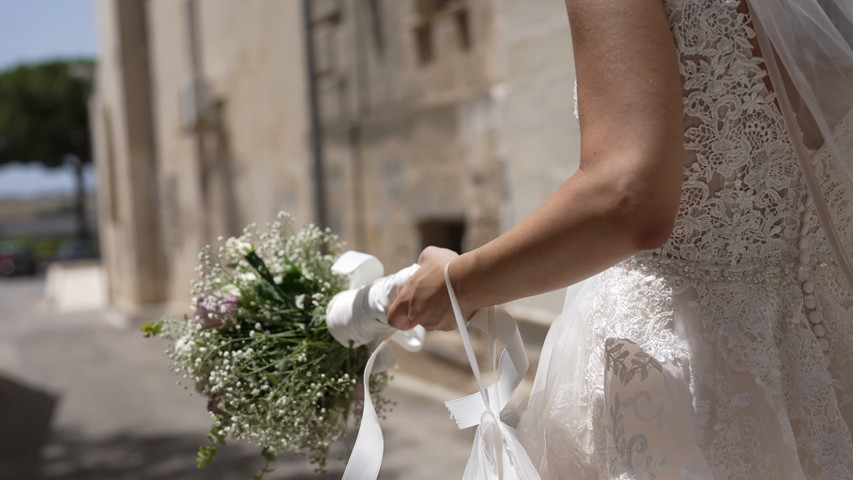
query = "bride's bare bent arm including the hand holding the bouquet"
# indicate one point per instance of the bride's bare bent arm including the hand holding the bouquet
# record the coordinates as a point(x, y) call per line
point(625, 195)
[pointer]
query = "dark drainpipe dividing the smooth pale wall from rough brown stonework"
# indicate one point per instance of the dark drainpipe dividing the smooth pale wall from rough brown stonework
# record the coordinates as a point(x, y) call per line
point(314, 114)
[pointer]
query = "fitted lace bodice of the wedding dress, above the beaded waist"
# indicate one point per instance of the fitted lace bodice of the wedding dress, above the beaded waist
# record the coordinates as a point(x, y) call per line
point(741, 195)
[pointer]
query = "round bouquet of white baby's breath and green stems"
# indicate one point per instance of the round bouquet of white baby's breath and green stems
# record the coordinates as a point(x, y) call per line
point(258, 348)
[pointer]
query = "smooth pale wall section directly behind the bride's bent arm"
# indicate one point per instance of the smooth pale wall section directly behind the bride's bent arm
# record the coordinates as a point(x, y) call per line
point(538, 137)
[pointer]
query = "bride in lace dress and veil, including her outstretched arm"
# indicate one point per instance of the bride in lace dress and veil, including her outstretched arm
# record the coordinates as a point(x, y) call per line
point(709, 226)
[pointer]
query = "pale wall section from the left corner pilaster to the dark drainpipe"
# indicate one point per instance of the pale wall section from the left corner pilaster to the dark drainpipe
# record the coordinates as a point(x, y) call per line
point(252, 160)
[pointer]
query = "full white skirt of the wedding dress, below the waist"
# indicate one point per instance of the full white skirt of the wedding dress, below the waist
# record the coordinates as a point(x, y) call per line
point(672, 372)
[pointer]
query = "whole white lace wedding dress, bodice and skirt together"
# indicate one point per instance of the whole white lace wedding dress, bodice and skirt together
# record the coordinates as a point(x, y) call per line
point(727, 353)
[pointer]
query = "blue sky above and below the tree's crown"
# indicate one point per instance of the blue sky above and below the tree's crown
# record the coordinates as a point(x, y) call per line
point(35, 30)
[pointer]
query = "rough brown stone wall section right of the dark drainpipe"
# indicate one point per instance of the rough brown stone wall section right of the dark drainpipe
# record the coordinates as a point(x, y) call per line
point(410, 137)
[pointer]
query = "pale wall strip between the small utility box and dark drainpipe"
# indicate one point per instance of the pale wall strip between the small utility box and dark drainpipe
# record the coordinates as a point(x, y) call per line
point(253, 55)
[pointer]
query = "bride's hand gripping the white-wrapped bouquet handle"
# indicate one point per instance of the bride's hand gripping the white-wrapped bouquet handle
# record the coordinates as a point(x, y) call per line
point(424, 300)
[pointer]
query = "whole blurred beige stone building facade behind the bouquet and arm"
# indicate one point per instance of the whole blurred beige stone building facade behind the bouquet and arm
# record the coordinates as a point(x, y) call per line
point(443, 122)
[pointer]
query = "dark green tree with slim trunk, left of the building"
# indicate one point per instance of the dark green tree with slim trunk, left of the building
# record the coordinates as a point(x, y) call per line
point(44, 118)
